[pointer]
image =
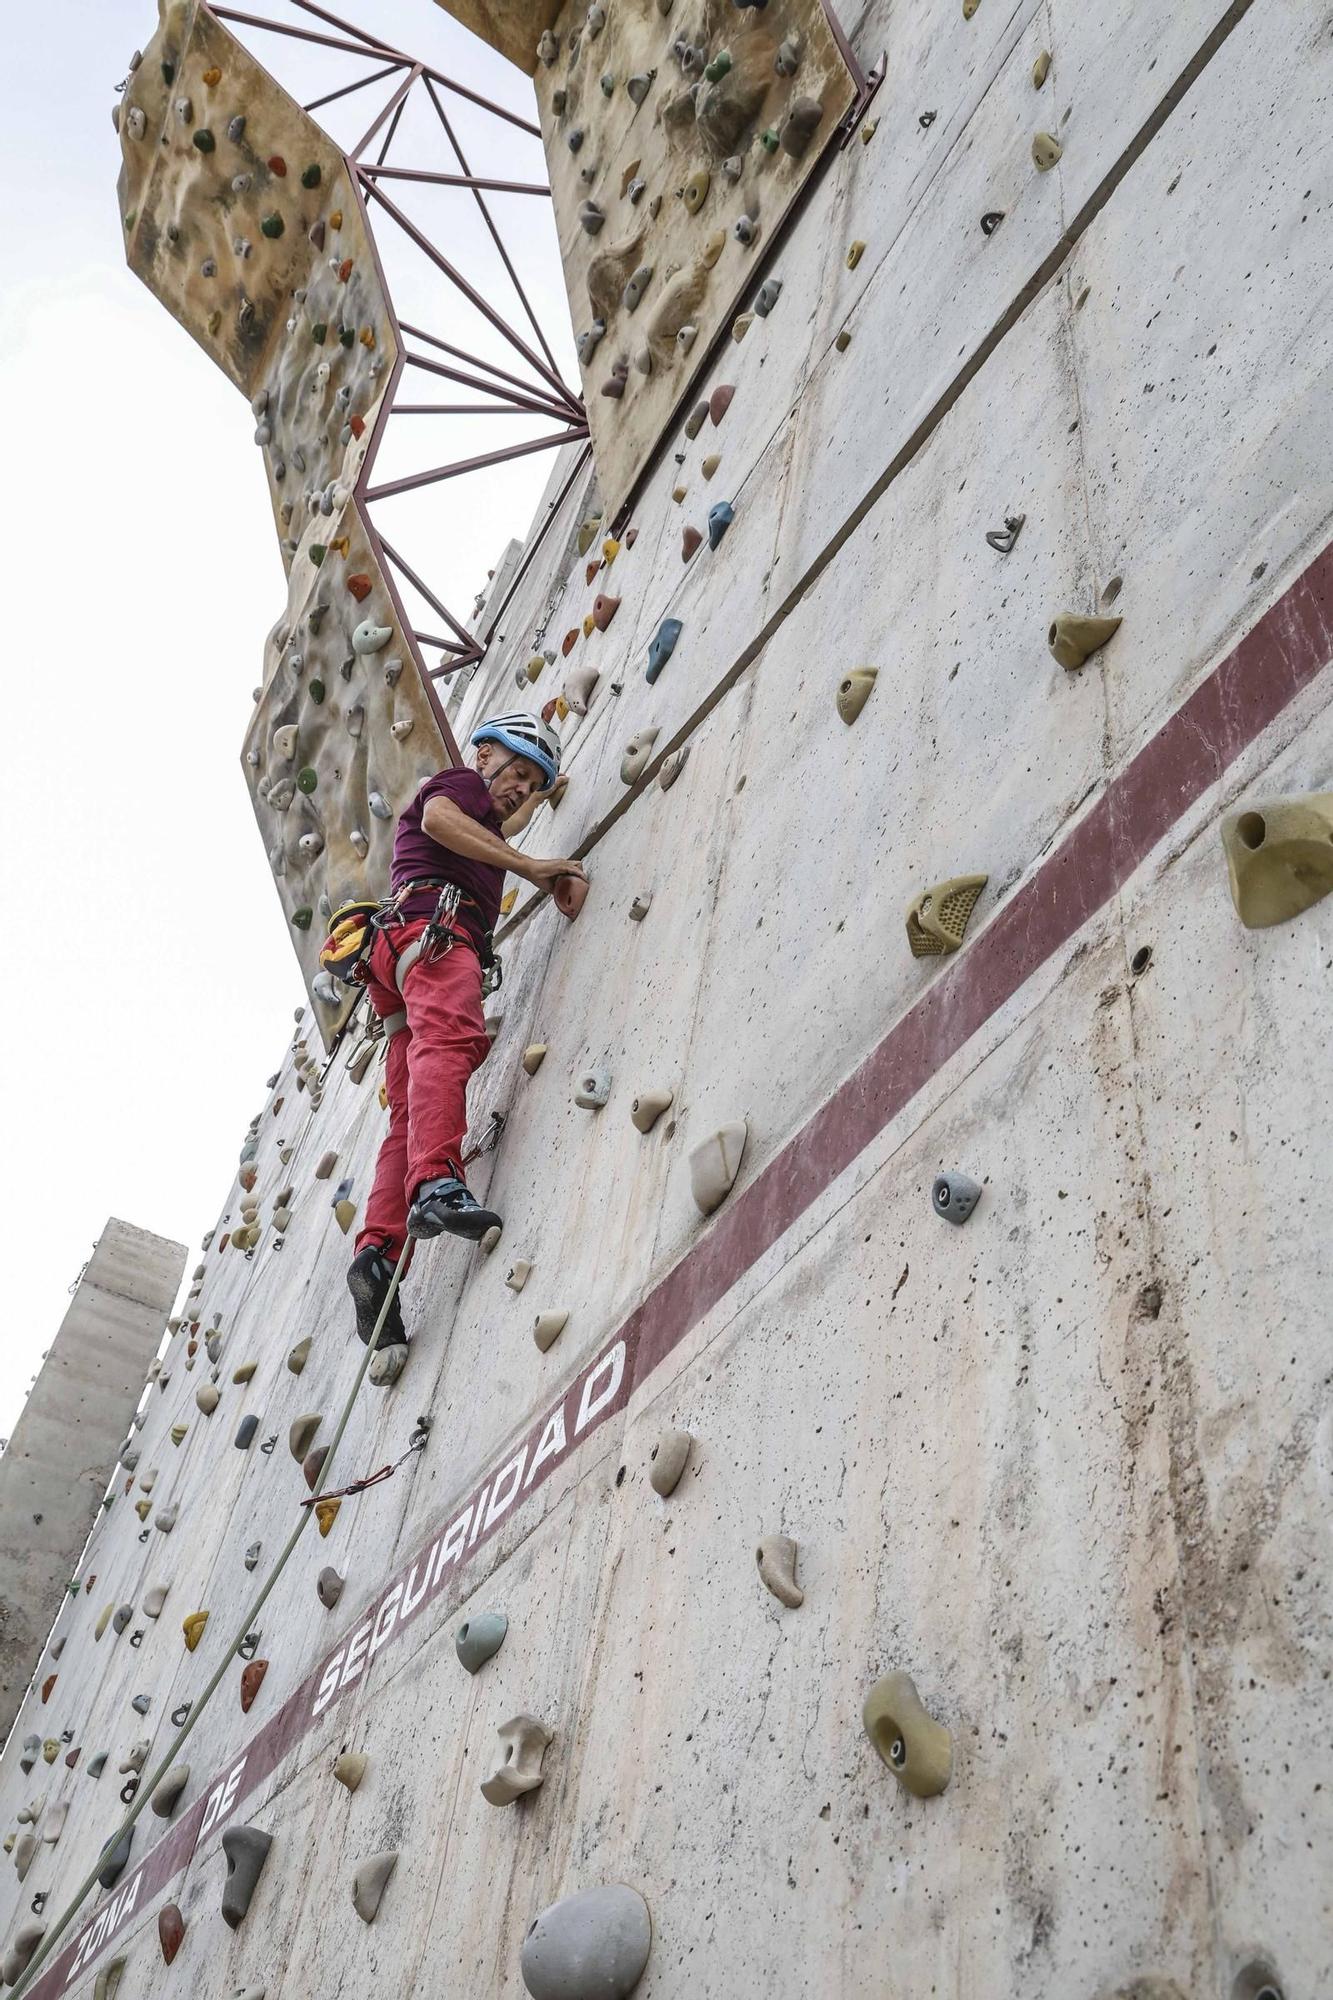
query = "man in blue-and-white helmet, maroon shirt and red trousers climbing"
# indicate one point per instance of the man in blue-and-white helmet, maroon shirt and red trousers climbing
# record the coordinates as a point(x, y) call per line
point(425, 981)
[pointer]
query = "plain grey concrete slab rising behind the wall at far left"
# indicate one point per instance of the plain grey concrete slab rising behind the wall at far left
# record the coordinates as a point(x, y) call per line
point(57, 1465)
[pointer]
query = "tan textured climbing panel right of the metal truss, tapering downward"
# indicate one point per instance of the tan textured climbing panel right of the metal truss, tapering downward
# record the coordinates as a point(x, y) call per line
point(680, 141)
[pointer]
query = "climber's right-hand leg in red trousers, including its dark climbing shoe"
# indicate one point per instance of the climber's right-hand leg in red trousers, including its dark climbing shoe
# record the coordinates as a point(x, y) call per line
point(447, 1045)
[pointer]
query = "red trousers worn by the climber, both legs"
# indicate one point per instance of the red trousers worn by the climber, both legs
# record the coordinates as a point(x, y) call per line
point(427, 1073)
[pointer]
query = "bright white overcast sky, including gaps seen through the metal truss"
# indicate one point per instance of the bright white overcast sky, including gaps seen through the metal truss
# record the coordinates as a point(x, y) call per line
point(153, 979)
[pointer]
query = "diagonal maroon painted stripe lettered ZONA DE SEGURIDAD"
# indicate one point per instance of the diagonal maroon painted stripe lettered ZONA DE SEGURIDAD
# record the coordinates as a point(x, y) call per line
point(1226, 713)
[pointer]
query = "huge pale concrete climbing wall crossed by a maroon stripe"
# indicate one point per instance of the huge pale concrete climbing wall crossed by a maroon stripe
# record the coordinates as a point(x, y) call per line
point(872, 1527)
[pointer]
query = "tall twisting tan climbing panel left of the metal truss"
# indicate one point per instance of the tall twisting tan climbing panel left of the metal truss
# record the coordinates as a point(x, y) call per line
point(241, 217)
